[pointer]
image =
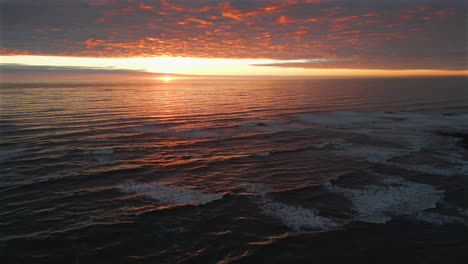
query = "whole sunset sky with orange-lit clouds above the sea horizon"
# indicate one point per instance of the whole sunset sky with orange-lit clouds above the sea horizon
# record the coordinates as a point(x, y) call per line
point(235, 37)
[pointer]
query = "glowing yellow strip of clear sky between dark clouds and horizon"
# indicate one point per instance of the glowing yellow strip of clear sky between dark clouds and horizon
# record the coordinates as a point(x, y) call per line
point(206, 66)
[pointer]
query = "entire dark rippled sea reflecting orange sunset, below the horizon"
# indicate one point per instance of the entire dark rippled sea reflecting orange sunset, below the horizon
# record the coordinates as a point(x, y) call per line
point(299, 171)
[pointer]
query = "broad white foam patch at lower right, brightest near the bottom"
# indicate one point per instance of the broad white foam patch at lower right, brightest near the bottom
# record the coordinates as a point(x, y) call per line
point(377, 204)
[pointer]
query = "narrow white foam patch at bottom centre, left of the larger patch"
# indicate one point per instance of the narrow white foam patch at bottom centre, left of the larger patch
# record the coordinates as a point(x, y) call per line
point(293, 216)
